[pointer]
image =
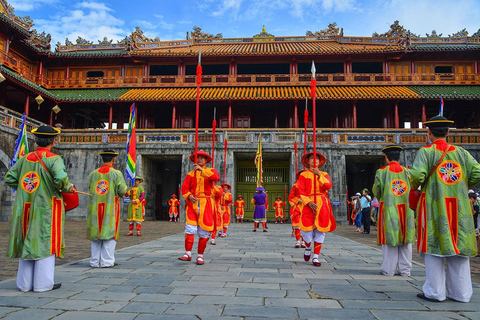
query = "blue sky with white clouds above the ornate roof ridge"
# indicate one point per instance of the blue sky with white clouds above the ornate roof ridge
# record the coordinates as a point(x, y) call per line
point(170, 20)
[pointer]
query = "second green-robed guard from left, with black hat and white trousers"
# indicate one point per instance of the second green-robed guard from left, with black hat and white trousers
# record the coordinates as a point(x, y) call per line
point(106, 185)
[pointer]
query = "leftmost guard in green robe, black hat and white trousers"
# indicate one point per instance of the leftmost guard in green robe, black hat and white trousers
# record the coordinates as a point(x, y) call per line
point(36, 233)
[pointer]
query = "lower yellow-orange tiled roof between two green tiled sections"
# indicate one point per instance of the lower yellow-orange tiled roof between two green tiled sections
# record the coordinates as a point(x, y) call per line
point(270, 93)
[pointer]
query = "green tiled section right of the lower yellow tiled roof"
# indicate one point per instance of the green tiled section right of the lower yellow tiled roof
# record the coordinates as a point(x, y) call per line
point(449, 92)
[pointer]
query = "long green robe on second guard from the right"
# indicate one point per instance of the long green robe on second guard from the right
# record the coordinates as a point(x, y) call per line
point(395, 224)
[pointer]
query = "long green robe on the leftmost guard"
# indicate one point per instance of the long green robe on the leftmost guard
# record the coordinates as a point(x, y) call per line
point(38, 213)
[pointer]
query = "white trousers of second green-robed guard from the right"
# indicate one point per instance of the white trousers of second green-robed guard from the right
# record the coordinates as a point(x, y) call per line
point(397, 260)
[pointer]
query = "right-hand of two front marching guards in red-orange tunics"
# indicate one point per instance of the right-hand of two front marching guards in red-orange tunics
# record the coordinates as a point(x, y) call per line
point(316, 216)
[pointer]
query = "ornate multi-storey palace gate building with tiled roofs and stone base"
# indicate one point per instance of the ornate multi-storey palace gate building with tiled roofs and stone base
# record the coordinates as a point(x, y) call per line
point(371, 91)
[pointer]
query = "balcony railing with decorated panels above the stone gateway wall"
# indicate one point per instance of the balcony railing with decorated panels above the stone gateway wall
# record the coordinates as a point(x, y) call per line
point(269, 136)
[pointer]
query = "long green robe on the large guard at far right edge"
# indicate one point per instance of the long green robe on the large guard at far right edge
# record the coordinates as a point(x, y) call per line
point(444, 214)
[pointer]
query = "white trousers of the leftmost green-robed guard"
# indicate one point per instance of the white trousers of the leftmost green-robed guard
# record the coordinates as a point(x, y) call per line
point(36, 275)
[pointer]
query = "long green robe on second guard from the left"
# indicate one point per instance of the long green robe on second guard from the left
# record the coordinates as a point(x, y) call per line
point(106, 186)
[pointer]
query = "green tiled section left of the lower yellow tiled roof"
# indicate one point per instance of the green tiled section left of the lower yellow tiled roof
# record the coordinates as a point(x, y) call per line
point(88, 95)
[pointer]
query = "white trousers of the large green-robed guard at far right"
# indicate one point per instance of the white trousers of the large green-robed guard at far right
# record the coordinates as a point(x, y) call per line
point(454, 283)
